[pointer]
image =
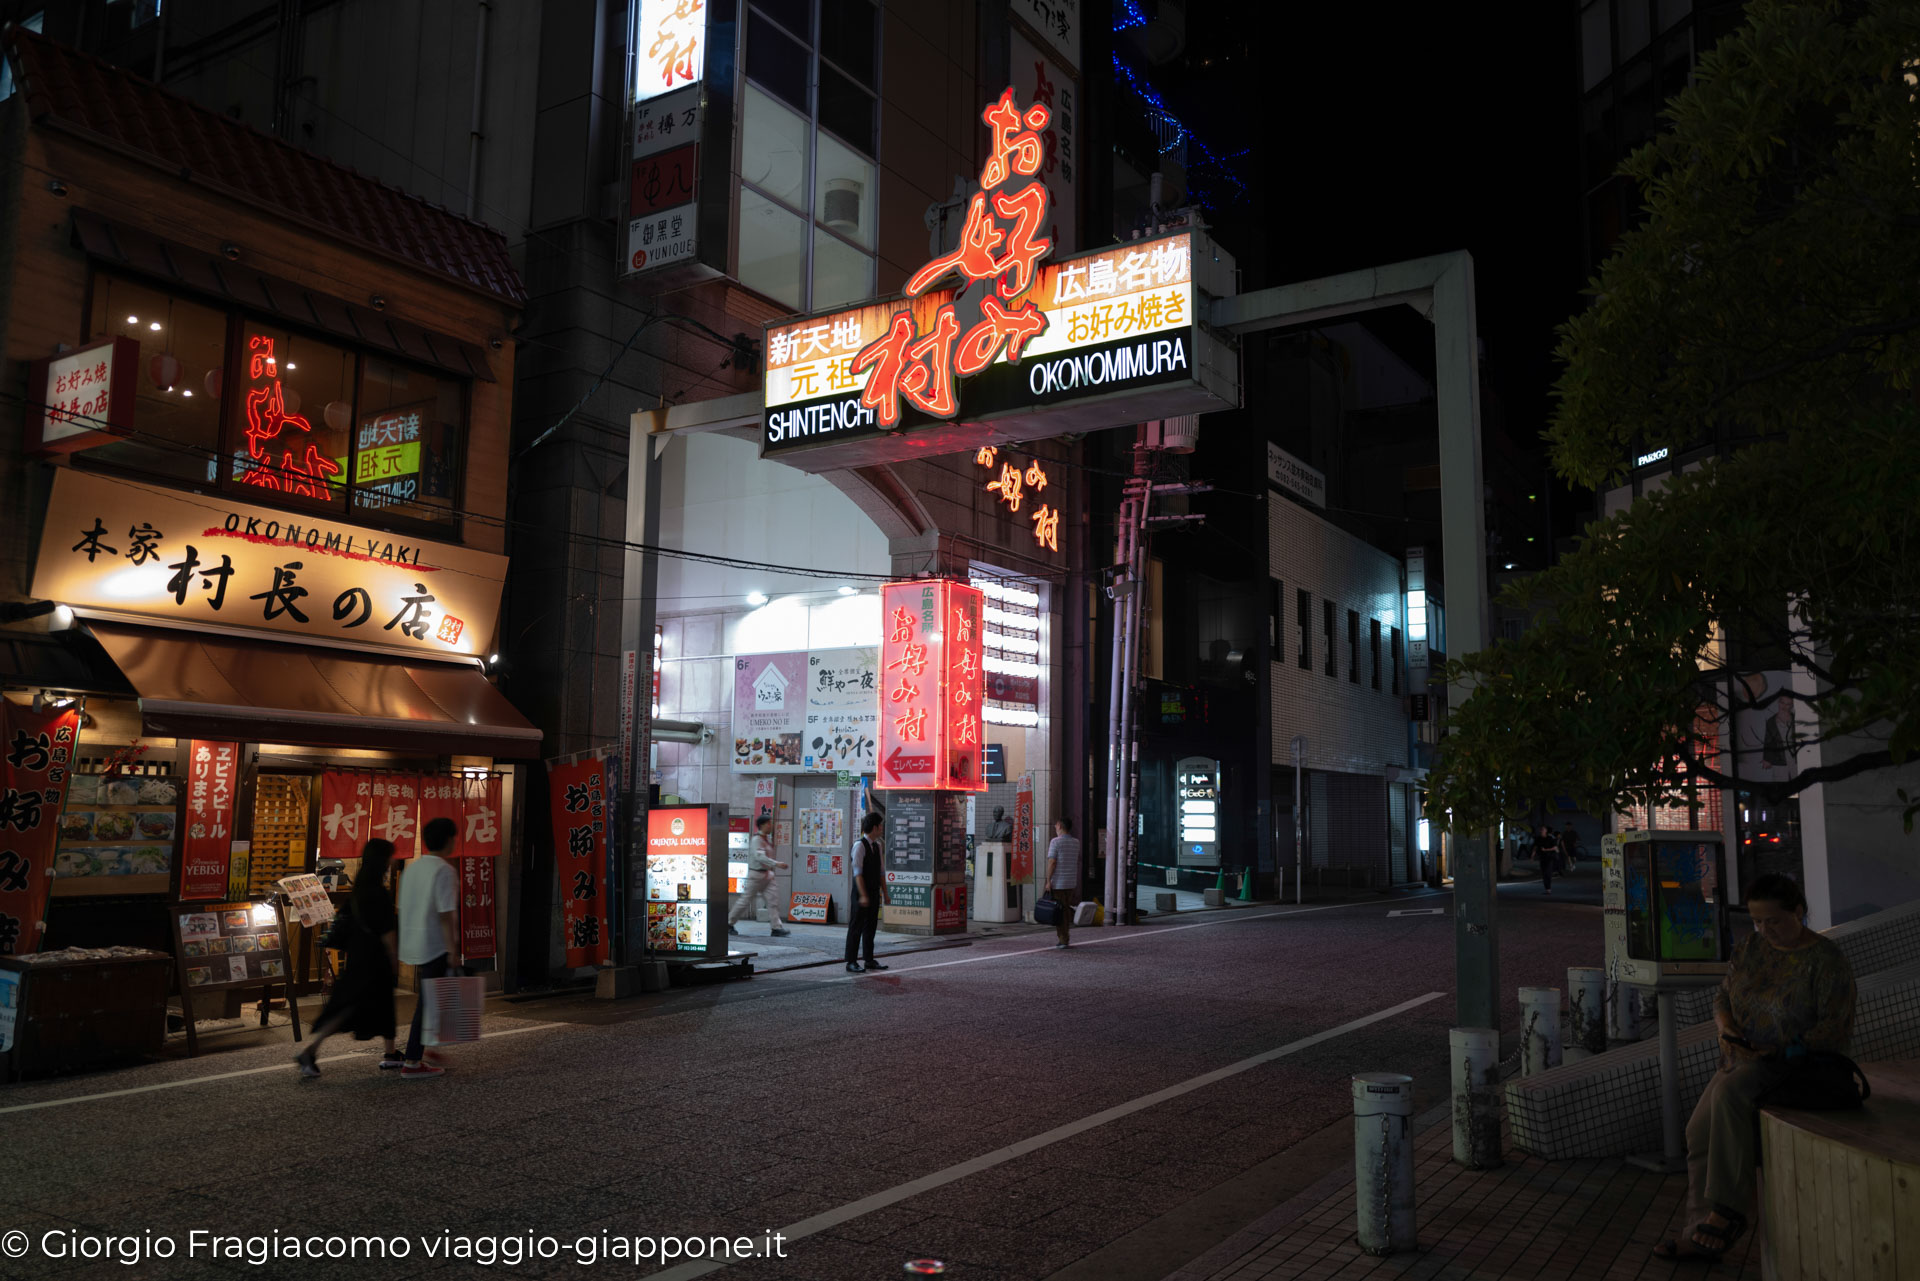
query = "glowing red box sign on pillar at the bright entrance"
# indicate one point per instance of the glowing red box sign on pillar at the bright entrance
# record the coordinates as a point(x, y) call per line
point(932, 687)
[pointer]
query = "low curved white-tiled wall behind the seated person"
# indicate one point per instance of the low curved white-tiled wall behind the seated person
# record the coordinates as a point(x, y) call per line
point(1610, 1105)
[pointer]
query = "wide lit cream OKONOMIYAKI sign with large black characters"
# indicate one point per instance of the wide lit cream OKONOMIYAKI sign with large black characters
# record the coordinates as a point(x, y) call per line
point(124, 548)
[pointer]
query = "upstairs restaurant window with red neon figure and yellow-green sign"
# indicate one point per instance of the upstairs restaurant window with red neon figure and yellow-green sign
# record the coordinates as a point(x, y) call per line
point(308, 423)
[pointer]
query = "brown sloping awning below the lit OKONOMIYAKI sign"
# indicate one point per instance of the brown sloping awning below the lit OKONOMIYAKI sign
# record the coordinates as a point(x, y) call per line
point(268, 692)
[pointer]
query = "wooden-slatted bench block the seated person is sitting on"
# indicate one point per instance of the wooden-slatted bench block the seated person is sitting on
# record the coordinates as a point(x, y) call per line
point(1842, 1190)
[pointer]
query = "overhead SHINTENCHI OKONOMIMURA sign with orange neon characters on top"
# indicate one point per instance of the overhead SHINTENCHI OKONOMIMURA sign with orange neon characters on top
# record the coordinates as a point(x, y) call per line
point(994, 337)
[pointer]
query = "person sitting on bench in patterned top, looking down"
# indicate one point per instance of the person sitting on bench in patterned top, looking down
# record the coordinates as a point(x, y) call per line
point(1788, 992)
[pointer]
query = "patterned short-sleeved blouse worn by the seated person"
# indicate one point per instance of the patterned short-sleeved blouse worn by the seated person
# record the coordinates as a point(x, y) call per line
point(1788, 998)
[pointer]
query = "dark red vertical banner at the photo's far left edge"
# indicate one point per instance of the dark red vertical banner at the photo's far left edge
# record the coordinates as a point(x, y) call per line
point(34, 781)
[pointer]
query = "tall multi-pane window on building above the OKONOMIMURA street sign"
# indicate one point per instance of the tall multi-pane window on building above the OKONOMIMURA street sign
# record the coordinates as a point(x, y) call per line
point(809, 124)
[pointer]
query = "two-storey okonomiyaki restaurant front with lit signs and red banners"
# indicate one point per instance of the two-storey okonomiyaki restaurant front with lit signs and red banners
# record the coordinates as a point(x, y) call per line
point(254, 527)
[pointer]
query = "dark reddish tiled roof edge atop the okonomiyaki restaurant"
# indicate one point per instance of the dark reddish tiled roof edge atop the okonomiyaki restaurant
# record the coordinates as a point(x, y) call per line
point(110, 105)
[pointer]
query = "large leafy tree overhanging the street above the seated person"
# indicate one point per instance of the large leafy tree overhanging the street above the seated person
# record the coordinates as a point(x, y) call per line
point(1769, 306)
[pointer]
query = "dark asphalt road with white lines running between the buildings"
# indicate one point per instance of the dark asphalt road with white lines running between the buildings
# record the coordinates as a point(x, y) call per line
point(1009, 1109)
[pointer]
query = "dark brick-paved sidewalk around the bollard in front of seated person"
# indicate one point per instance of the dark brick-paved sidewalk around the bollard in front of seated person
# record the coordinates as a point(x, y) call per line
point(1583, 1221)
